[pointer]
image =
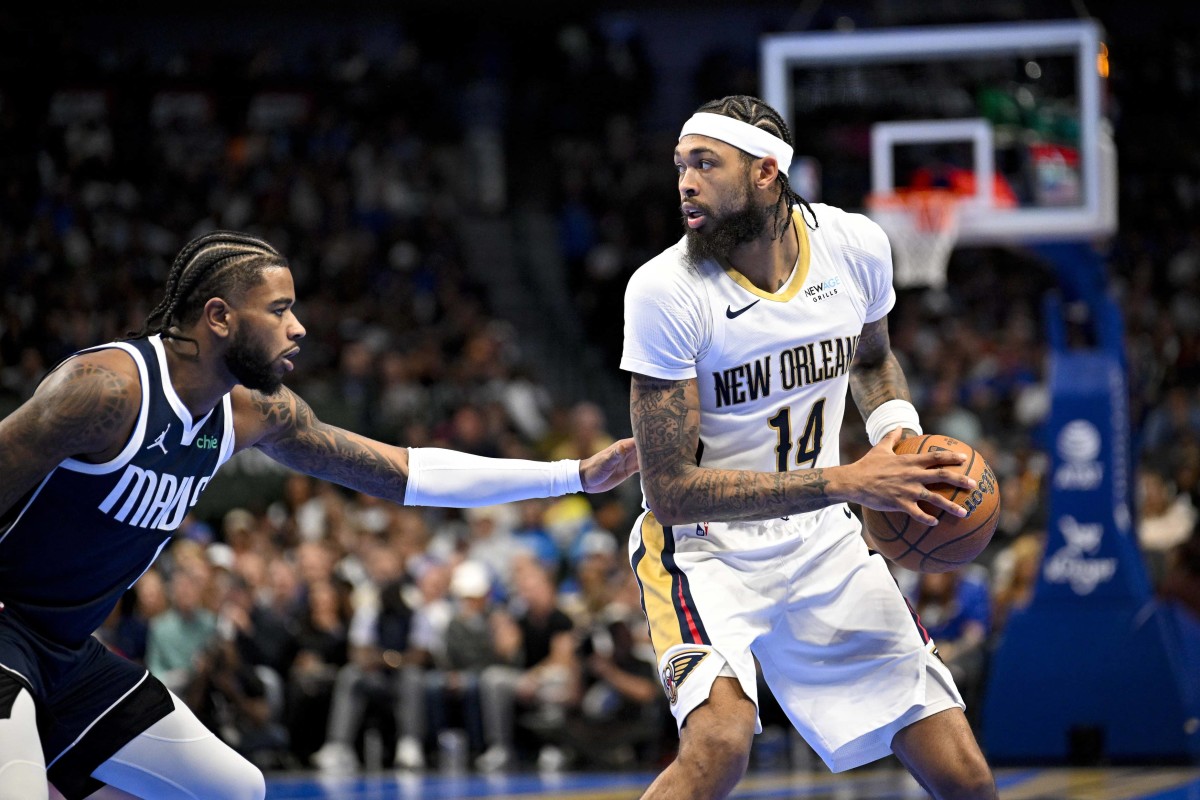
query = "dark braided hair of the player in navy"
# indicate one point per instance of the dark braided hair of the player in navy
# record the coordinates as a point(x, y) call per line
point(221, 263)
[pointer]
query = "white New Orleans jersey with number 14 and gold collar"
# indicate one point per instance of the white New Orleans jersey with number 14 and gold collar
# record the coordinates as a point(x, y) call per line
point(772, 369)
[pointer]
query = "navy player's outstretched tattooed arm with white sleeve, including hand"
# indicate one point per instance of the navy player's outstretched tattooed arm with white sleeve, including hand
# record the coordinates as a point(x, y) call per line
point(286, 429)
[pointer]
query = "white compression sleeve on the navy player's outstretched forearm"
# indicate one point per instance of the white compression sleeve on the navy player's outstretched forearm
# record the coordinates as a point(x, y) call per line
point(457, 480)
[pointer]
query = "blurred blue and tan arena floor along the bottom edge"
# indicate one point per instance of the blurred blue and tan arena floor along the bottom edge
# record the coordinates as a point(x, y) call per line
point(1099, 784)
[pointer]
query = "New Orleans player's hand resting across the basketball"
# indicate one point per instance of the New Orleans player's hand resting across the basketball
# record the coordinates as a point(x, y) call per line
point(899, 483)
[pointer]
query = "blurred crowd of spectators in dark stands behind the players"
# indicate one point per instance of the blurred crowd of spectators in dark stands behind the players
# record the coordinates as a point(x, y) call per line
point(461, 213)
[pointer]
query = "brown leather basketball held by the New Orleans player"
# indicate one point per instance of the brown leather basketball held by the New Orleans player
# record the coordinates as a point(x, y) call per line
point(955, 540)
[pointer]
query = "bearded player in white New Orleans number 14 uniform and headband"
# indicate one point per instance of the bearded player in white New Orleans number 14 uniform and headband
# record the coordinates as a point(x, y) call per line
point(743, 340)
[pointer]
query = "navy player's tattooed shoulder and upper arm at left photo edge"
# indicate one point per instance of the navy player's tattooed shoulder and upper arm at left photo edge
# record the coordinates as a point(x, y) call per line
point(85, 410)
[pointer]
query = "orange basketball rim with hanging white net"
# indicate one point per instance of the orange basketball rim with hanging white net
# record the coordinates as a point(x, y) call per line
point(923, 226)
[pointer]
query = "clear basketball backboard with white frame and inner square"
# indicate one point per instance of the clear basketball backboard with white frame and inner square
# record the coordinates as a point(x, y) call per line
point(1011, 116)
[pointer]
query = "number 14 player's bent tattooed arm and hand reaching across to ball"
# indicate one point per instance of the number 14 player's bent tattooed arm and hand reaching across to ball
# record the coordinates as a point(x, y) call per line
point(667, 425)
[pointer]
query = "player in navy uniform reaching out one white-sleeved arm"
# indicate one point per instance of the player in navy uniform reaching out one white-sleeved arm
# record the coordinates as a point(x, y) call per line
point(99, 468)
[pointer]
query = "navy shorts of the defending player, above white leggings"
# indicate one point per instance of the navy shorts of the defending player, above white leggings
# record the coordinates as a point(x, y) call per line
point(91, 701)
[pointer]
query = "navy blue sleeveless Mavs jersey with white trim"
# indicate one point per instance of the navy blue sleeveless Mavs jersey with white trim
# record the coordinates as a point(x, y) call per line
point(75, 544)
